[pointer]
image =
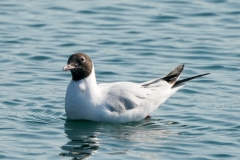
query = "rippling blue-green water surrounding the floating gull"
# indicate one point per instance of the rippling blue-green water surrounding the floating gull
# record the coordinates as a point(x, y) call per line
point(127, 41)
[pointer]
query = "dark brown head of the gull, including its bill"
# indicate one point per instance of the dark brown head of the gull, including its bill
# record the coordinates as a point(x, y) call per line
point(80, 66)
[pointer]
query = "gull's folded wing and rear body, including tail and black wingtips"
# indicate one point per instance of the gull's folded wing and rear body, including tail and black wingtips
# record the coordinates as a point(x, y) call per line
point(138, 100)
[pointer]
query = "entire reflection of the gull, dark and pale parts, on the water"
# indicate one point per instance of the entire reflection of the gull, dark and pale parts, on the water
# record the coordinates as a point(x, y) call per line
point(85, 137)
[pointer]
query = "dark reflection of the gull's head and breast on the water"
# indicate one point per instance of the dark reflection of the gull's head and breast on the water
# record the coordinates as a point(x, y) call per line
point(83, 139)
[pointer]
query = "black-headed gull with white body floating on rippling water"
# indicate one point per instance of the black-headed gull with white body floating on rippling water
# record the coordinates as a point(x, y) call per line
point(117, 102)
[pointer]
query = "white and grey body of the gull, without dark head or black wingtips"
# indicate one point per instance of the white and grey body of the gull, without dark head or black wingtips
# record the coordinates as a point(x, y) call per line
point(114, 102)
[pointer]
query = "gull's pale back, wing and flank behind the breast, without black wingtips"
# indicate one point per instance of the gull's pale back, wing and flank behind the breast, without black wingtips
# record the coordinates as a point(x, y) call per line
point(126, 101)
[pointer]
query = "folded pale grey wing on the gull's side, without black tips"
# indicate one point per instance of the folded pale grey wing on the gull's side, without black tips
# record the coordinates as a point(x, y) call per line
point(123, 96)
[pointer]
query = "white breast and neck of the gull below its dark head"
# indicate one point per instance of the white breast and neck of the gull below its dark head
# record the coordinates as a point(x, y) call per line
point(82, 99)
